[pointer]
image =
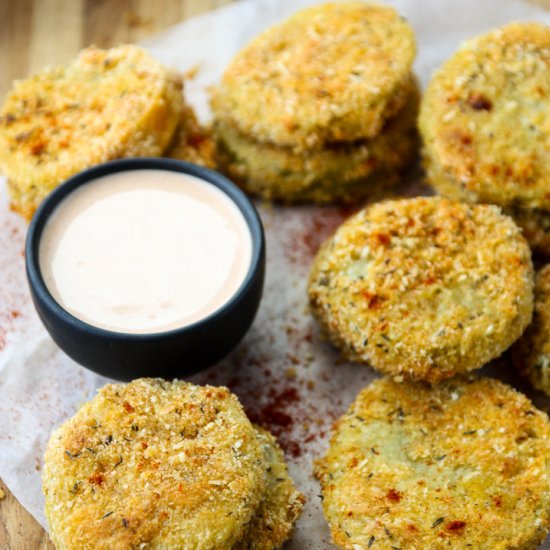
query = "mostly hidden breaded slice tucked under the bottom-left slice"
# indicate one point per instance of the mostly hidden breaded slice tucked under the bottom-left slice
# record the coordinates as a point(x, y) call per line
point(281, 506)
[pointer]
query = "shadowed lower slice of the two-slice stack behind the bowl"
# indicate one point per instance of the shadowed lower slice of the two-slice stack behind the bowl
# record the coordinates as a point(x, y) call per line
point(339, 173)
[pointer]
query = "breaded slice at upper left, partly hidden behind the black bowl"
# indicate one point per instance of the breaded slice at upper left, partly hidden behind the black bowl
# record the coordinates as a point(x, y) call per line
point(106, 104)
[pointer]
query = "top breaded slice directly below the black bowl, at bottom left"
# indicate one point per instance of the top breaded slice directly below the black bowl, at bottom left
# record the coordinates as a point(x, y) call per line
point(154, 464)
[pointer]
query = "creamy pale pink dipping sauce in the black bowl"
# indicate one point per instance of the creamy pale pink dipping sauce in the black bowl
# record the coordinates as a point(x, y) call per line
point(145, 251)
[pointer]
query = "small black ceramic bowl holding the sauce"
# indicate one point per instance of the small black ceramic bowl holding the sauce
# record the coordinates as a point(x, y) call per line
point(171, 354)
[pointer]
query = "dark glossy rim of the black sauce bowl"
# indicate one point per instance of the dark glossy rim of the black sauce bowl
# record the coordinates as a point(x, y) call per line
point(56, 197)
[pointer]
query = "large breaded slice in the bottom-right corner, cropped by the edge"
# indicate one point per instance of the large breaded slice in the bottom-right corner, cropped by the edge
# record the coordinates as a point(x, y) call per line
point(464, 464)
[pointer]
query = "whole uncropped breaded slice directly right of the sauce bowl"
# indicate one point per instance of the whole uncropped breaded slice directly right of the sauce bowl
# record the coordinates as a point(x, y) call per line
point(424, 288)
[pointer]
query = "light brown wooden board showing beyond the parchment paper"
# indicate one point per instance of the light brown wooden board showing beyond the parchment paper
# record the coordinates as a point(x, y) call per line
point(38, 33)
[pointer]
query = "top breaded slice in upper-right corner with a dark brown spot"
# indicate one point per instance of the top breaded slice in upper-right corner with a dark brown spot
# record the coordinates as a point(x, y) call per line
point(484, 119)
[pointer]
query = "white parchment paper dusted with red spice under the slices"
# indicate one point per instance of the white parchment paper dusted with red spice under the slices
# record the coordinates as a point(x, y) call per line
point(283, 373)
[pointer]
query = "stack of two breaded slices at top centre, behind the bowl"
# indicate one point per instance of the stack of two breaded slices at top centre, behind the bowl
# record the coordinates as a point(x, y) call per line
point(321, 107)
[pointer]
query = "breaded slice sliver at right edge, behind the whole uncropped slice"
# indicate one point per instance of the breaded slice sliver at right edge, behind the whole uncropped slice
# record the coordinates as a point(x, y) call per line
point(531, 354)
